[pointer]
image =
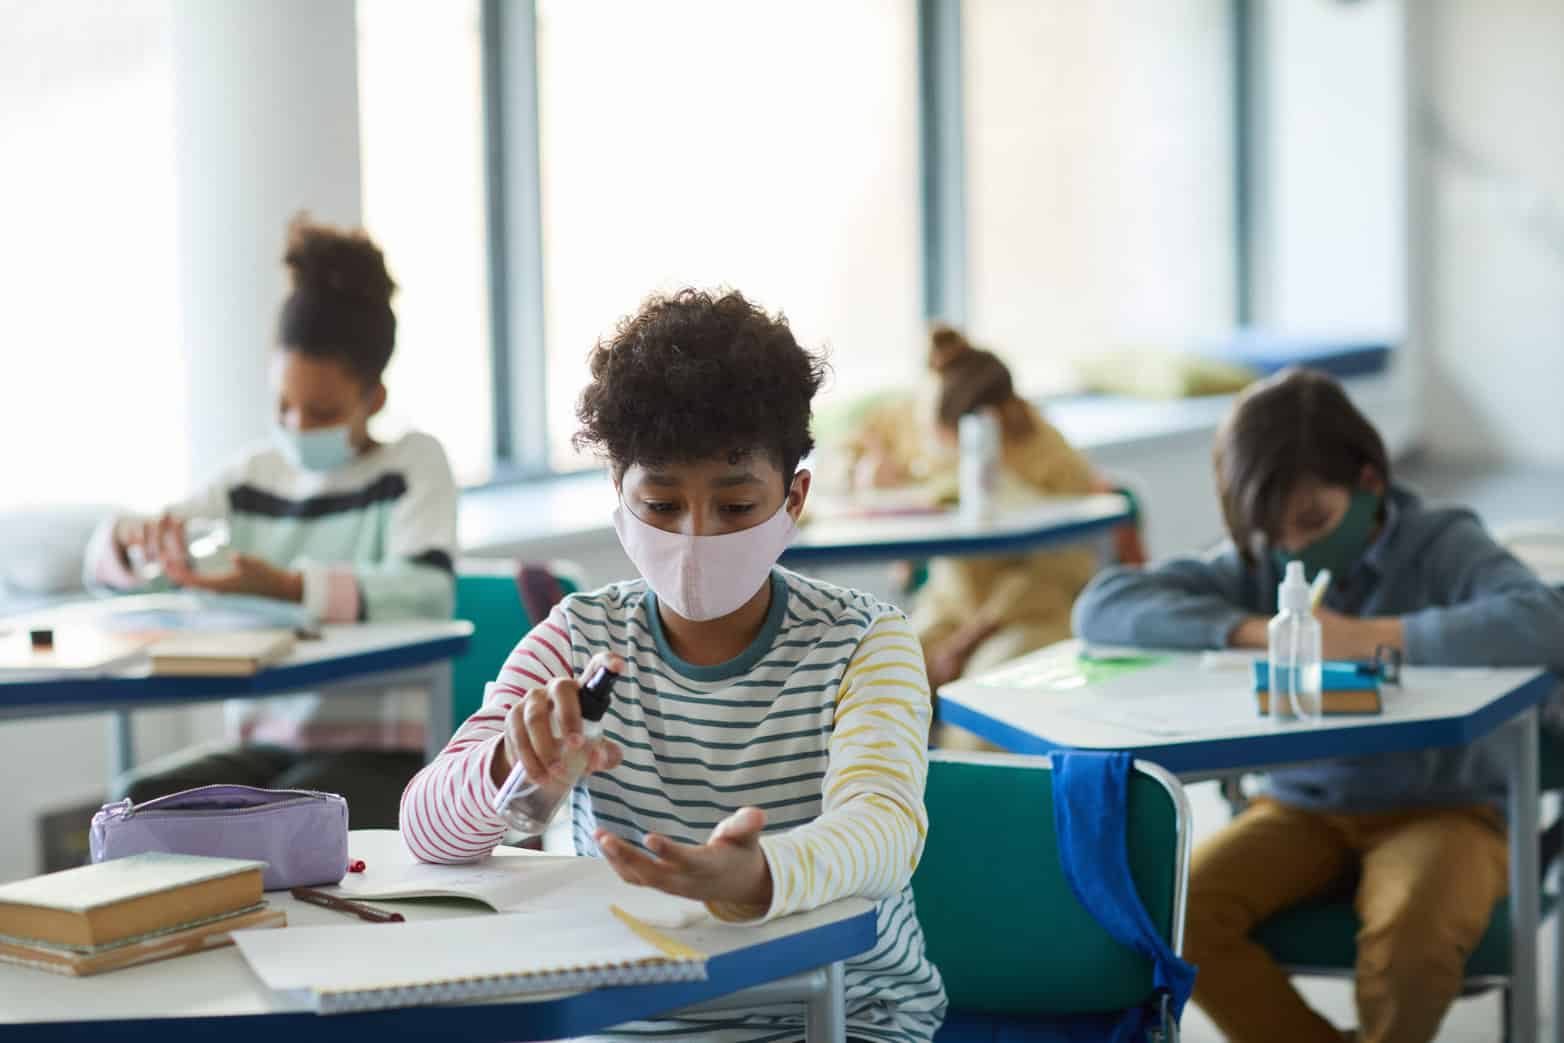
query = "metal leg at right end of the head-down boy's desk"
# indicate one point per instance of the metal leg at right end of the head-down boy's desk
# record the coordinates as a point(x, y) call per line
point(1526, 895)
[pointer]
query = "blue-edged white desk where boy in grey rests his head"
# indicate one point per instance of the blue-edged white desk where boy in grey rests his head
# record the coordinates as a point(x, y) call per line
point(1202, 723)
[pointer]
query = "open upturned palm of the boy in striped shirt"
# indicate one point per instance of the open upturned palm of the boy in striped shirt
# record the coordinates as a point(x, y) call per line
point(728, 869)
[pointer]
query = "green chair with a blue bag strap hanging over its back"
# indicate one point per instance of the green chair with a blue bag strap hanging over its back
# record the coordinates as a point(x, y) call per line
point(995, 905)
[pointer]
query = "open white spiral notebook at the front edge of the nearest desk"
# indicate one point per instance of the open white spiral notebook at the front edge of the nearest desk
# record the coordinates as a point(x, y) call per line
point(371, 967)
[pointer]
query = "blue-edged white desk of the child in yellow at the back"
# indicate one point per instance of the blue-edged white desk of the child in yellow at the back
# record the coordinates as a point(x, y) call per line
point(1055, 521)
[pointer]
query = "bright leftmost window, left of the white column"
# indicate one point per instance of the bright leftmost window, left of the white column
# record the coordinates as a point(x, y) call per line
point(93, 396)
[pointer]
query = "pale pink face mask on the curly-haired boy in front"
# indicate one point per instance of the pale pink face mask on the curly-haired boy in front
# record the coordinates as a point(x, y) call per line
point(705, 578)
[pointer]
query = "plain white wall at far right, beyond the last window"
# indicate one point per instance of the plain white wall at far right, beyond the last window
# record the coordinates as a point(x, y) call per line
point(1490, 142)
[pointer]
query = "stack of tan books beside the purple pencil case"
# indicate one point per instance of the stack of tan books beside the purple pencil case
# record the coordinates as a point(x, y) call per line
point(131, 911)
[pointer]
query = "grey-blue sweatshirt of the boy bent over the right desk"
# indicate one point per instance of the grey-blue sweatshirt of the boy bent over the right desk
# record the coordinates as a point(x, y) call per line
point(1463, 600)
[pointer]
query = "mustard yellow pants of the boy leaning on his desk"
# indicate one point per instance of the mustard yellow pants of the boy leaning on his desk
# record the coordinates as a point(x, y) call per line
point(1426, 889)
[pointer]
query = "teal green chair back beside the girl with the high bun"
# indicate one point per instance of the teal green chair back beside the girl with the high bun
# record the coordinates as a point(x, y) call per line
point(490, 598)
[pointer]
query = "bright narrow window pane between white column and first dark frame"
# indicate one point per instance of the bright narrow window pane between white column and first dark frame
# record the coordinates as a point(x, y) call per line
point(421, 123)
